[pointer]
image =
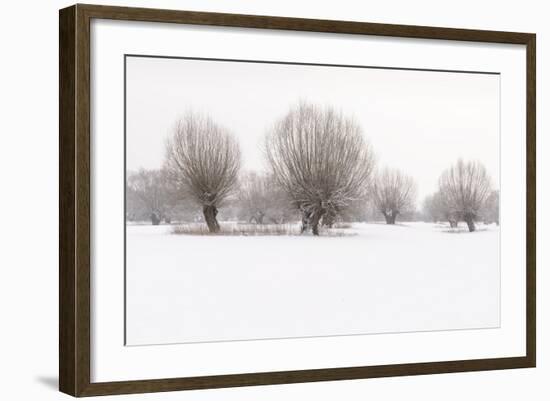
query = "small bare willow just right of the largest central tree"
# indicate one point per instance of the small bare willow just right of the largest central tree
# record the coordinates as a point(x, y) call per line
point(393, 193)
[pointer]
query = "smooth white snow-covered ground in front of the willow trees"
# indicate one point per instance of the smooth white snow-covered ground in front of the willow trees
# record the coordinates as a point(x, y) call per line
point(407, 277)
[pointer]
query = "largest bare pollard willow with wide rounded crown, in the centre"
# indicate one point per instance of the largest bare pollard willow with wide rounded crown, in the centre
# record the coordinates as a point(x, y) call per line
point(321, 160)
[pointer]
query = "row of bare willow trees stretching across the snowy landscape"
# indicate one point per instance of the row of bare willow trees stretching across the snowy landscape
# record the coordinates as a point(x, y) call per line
point(321, 169)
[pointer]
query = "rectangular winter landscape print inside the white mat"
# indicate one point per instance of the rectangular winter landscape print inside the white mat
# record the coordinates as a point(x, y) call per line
point(274, 200)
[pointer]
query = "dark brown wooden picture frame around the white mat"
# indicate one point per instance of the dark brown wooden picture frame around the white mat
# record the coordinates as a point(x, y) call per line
point(74, 200)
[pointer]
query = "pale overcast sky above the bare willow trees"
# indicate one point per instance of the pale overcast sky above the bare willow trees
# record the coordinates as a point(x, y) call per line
point(417, 121)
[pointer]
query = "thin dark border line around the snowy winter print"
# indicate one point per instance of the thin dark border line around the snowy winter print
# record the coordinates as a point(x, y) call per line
point(126, 56)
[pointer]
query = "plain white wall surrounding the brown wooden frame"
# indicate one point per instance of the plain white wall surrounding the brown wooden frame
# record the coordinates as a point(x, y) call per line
point(29, 184)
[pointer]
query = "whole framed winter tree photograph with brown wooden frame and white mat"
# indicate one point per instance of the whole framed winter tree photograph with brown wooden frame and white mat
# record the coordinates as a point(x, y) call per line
point(250, 200)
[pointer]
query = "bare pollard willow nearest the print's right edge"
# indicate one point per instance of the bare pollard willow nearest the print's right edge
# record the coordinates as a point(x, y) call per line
point(465, 188)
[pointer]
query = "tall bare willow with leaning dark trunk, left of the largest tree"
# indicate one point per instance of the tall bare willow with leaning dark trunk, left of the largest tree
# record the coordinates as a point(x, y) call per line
point(203, 161)
